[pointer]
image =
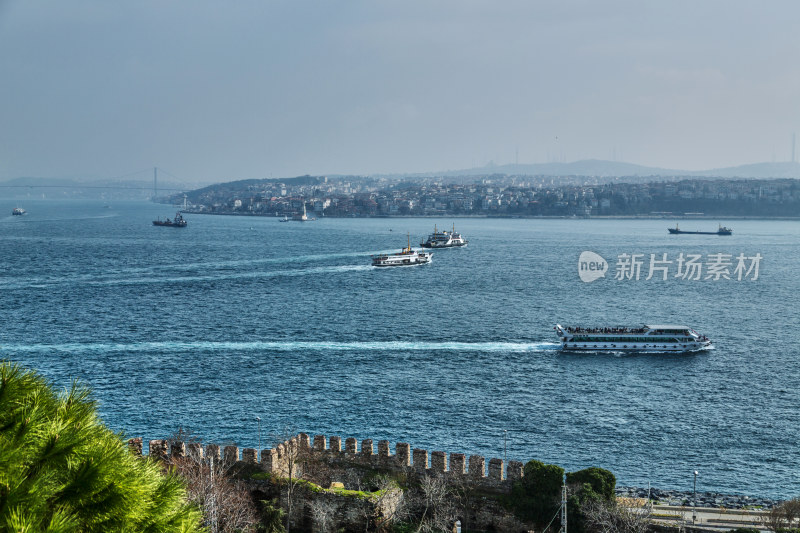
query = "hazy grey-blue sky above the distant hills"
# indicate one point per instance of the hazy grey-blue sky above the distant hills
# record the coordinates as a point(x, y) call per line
point(223, 90)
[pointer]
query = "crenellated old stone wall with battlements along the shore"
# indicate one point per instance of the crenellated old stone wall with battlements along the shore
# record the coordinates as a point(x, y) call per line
point(306, 458)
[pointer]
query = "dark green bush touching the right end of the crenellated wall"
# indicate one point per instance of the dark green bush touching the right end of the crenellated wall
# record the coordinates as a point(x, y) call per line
point(537, 496)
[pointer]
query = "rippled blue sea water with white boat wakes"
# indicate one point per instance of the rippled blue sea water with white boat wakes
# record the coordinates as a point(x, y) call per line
point(231, 318)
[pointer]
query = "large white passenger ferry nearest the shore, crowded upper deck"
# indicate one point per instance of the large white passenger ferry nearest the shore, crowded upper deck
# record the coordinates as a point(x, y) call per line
point(646, 338)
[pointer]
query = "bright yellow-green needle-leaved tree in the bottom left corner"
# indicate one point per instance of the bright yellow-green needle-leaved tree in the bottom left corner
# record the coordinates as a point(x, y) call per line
point(62, 470)
